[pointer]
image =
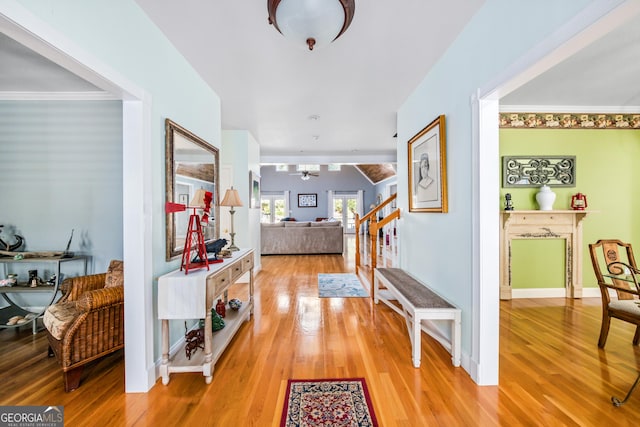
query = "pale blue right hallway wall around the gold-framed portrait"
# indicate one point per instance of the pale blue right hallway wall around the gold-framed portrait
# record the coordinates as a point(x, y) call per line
point(440, 244)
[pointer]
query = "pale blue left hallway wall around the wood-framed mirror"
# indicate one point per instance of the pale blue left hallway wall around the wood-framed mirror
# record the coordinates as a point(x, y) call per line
point(119, 35)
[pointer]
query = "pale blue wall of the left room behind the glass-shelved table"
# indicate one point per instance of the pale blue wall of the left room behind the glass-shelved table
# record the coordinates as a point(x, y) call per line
point(61, 170)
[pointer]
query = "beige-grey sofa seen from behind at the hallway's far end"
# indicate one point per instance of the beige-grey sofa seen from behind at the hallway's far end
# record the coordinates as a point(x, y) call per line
point(301, 237)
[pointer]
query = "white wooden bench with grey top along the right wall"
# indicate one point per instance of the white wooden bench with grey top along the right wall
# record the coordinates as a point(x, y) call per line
point(418, 303)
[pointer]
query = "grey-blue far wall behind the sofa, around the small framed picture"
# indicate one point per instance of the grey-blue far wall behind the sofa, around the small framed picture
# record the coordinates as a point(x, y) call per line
point(348, 179)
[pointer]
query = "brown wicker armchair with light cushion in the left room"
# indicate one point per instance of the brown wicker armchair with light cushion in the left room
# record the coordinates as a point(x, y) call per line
point(87, 323)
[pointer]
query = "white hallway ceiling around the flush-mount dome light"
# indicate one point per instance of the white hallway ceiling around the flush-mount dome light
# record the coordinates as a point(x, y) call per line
point(272, 87)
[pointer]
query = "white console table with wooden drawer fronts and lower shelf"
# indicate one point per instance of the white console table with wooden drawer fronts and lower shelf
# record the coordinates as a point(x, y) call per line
point(191, 296)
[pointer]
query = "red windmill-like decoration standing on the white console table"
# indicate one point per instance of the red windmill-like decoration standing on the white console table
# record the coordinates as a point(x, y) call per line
point(194, 247)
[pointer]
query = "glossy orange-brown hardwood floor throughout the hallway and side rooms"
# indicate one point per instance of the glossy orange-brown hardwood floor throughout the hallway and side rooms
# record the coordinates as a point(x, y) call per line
point(551, 371)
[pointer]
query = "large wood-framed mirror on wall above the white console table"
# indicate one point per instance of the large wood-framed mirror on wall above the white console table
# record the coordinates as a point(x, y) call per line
point(191, 164)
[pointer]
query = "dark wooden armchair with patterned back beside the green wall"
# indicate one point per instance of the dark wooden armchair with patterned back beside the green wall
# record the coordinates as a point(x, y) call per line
point(627, 306)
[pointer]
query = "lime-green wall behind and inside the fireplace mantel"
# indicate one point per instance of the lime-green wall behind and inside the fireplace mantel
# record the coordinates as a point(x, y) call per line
point(606, 171)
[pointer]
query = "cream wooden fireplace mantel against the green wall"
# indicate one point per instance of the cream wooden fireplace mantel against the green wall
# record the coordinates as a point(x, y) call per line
point(565, 225)
